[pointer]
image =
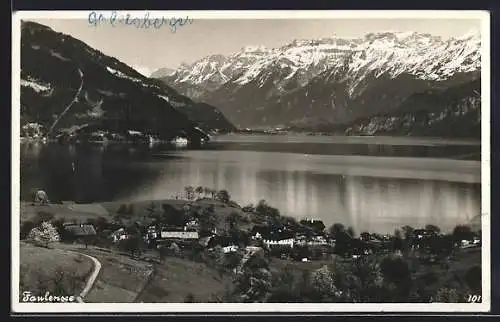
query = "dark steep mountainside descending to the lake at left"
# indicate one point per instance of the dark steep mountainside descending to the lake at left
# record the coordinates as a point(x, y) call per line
point(67, 84)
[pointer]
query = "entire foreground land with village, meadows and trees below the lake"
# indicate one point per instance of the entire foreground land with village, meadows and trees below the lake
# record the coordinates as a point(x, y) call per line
point(199, 245)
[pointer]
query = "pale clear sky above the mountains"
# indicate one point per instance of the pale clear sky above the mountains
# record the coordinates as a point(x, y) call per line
point(147, 50)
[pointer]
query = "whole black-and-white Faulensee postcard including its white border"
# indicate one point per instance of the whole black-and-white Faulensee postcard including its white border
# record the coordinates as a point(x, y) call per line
point(270, 161)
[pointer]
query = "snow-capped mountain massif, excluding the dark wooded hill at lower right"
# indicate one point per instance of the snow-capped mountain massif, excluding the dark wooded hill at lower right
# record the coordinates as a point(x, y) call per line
point(330, 79)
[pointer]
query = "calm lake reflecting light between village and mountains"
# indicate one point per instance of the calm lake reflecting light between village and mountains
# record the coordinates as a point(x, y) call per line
point(375, 184)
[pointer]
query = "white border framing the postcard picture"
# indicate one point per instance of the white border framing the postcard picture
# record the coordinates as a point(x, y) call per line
point(264, 307)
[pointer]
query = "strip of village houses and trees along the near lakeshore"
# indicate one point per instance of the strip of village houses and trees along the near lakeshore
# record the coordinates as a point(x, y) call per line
point(203, 219)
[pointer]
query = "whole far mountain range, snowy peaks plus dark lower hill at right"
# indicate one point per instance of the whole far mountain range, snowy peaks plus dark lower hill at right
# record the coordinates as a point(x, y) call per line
point(356, 84)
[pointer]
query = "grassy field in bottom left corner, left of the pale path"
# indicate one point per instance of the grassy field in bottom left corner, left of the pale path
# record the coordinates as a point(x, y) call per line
point(42, 269)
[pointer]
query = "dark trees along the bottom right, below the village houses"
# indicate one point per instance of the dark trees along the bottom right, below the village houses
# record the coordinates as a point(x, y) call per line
point(366, 280)
